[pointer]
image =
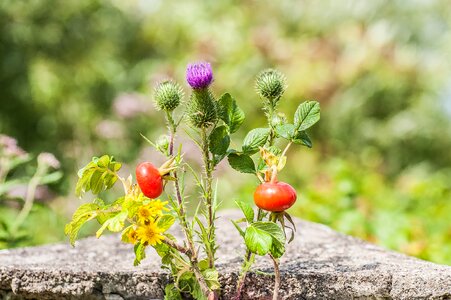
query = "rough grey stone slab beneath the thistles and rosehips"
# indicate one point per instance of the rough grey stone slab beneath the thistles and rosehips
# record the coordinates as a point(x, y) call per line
point(319, 264)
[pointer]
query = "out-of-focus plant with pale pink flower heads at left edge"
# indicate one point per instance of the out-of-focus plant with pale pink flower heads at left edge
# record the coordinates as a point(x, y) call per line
point(21, 183)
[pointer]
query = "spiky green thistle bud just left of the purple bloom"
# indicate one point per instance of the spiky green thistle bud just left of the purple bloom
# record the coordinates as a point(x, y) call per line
point(168, 95)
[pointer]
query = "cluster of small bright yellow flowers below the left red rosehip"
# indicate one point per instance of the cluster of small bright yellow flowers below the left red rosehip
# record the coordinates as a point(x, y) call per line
point(146, 230)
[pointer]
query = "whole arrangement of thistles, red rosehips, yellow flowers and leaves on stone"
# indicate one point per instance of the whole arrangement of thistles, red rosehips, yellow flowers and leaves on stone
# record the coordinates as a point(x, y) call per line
point(144, 219)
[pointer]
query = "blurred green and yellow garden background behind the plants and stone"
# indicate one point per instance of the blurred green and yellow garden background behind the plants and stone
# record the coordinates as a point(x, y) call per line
point(76, 77)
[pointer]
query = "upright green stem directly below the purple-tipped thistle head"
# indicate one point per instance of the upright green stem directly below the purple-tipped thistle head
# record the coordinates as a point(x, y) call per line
point(208, 197)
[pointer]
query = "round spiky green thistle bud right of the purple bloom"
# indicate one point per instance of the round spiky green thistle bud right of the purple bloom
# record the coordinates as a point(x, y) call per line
point(271, 84)
